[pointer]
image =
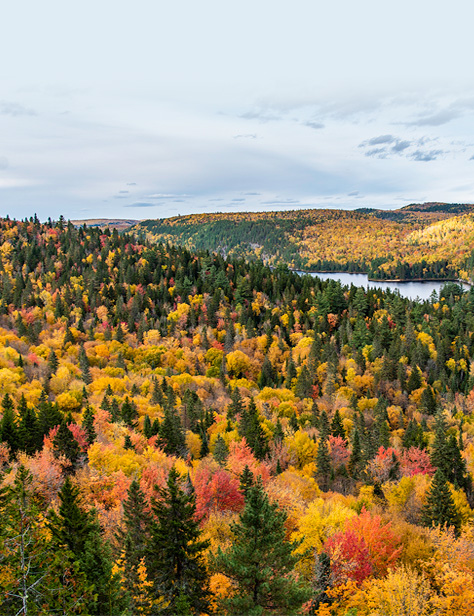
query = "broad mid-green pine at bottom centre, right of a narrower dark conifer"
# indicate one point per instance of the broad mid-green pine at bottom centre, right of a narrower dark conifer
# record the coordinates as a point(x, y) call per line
point(260, 562)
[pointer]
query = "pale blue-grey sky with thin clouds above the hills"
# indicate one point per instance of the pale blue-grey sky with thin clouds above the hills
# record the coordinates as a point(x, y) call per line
point(150, 109)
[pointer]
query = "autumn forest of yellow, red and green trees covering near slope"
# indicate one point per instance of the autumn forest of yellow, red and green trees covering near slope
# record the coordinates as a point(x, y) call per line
point(183, 433)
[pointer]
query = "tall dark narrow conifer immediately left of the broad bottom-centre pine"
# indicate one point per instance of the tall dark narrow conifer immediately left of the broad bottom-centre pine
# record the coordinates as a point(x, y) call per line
point(175, 562)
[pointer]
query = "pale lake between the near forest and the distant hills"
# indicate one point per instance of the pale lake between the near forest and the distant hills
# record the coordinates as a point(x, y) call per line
point(411, 290)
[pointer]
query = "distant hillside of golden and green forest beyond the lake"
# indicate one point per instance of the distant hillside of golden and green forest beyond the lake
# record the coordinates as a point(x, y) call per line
point(415, 242)
